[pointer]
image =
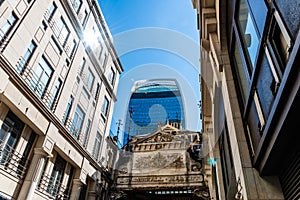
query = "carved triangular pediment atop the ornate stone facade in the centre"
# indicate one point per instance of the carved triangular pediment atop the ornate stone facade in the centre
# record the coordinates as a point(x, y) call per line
point(163, 134)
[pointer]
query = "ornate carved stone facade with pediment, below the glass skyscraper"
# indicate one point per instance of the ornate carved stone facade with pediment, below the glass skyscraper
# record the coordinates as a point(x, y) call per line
point(165, 164)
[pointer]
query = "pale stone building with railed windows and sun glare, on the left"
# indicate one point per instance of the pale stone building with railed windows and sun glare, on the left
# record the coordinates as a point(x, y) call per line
point(59, 73)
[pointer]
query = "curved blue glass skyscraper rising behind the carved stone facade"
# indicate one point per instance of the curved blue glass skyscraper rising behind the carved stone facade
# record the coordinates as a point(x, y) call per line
point(152, 103)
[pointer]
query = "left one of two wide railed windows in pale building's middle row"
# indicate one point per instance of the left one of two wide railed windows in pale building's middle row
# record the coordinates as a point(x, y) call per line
point(41, 77)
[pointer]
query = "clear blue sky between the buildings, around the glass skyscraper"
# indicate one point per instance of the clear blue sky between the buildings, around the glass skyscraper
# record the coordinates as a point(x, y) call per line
point(156, 39)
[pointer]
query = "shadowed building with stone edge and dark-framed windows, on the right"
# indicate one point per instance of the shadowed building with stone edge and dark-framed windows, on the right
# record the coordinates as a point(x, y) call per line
point(250, 97)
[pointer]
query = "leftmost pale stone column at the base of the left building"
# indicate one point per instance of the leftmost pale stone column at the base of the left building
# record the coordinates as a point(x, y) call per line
point(33, 175)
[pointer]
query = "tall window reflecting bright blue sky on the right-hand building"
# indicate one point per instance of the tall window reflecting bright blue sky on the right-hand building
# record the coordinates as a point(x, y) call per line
point(249, 37)
